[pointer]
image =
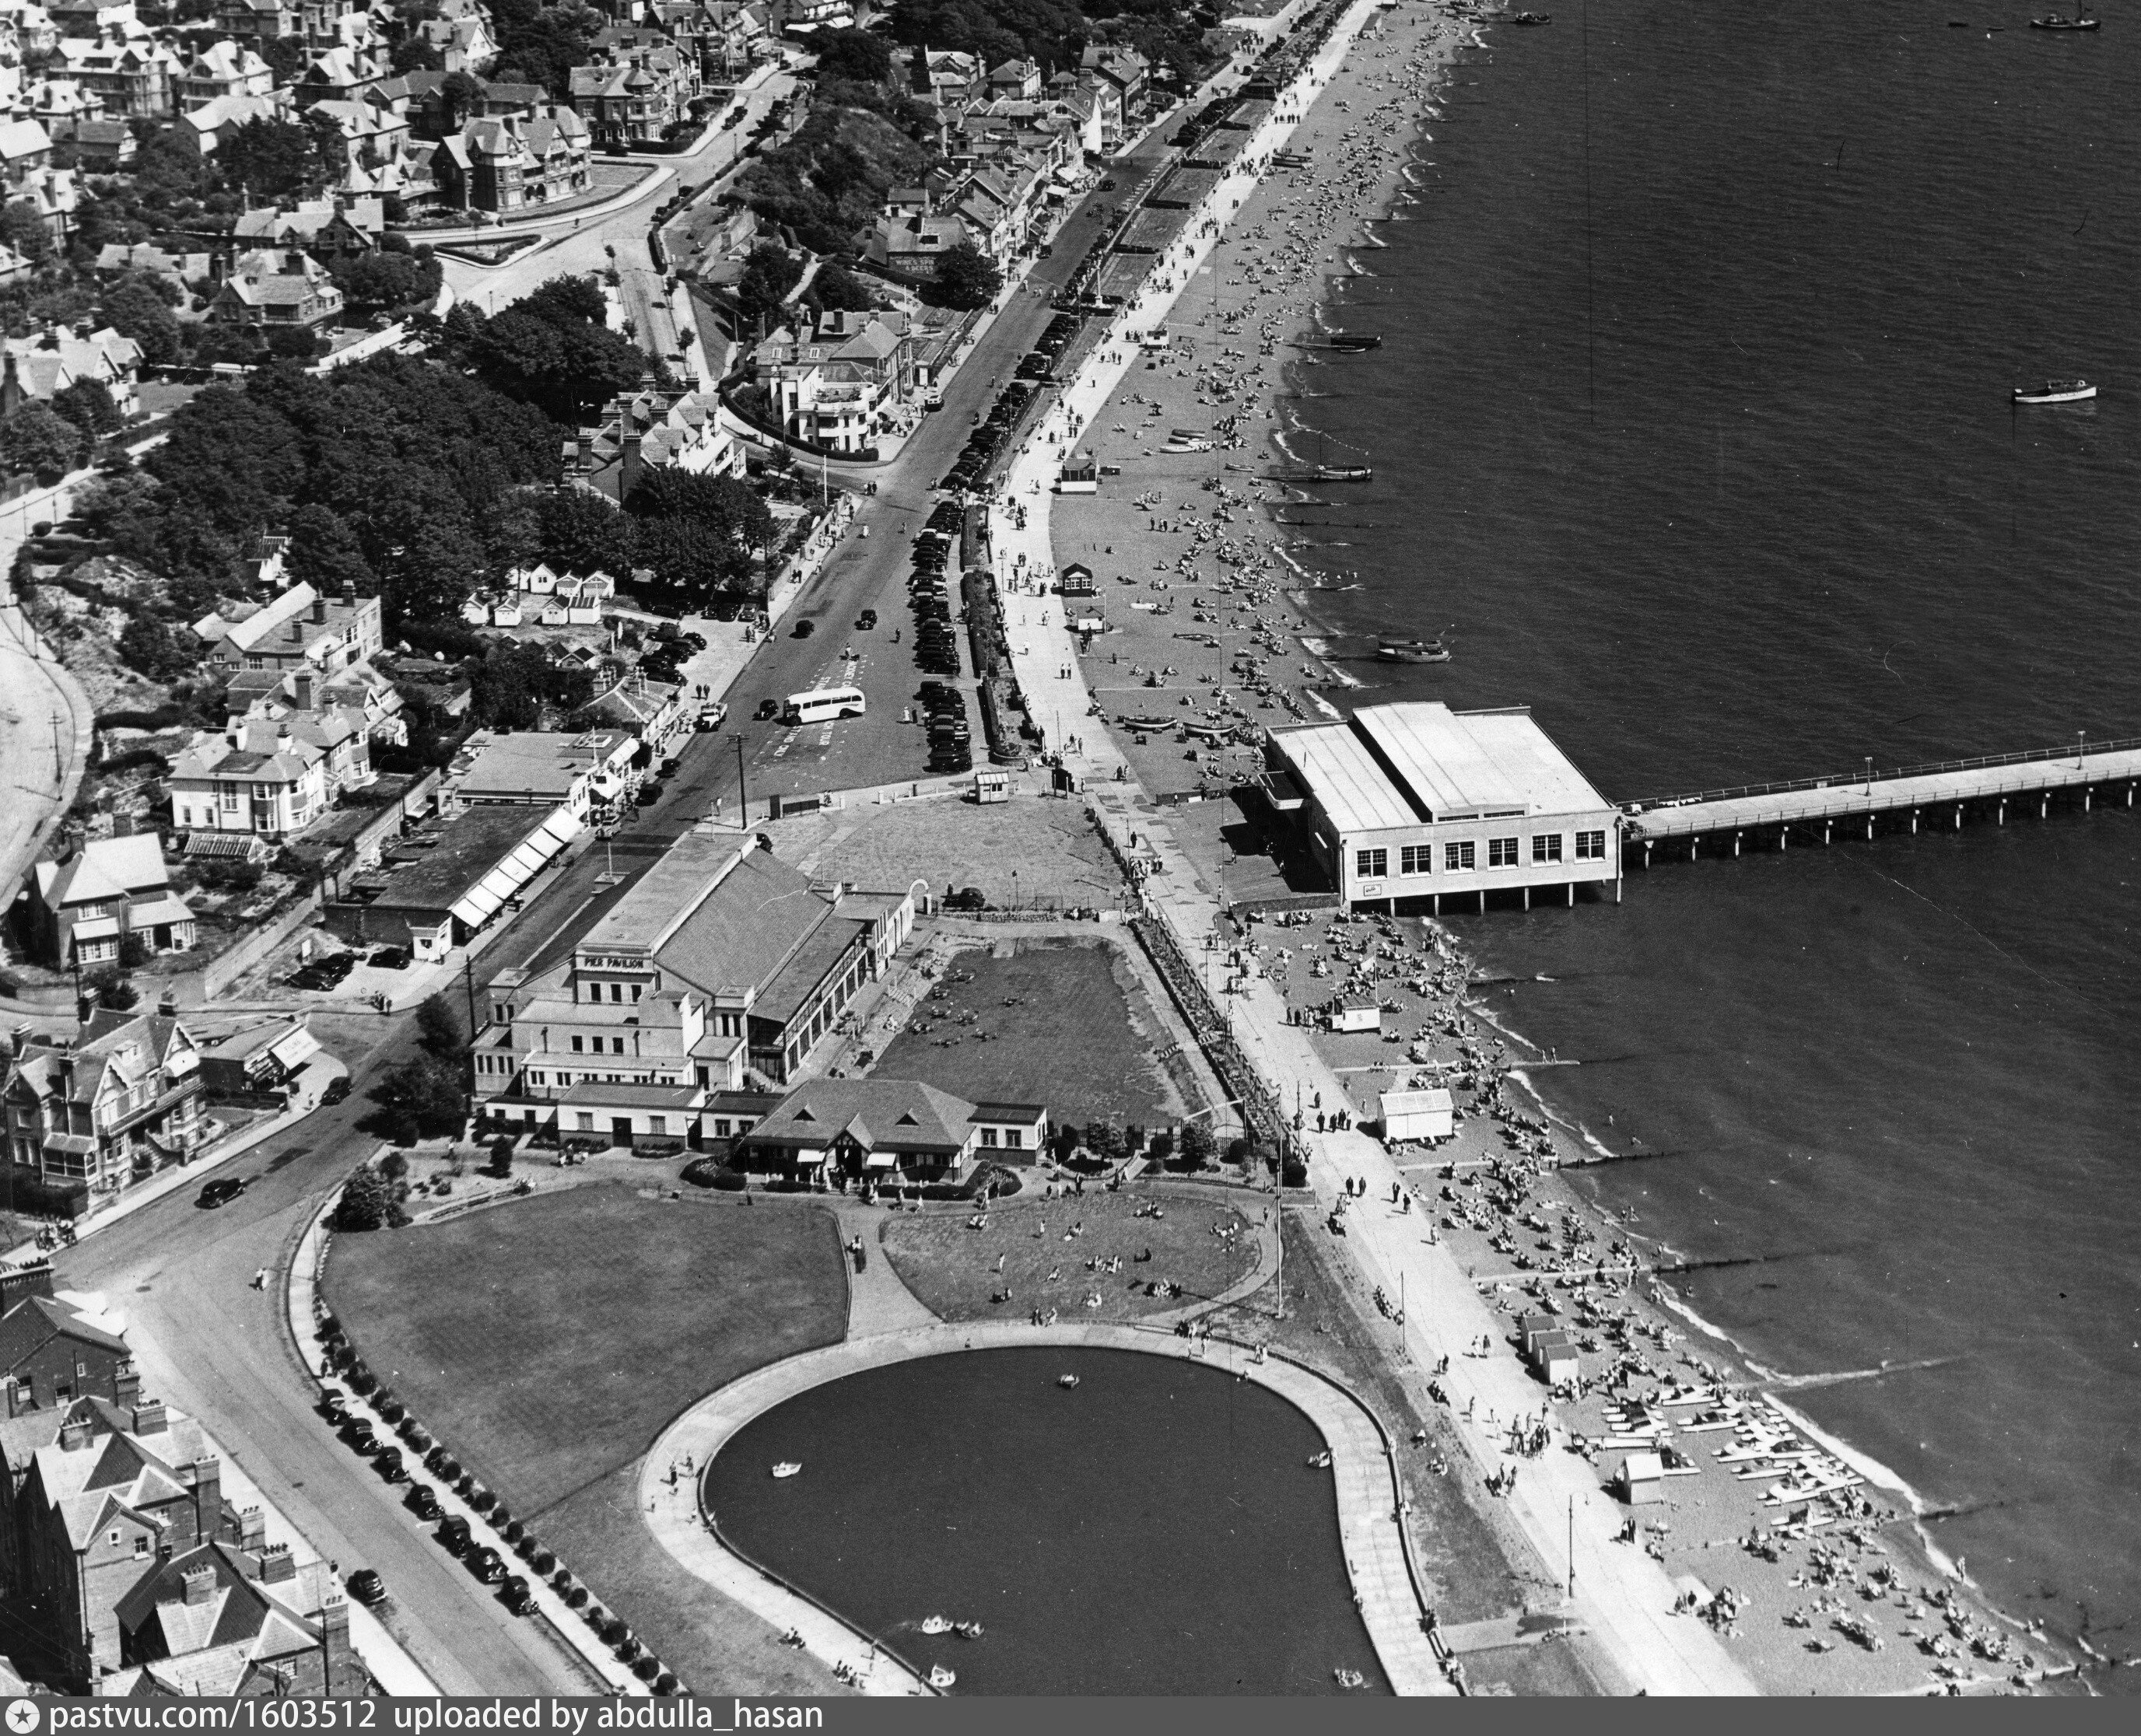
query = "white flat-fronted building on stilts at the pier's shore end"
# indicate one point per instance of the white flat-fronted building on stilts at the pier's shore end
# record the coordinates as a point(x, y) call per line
point(1418, 804)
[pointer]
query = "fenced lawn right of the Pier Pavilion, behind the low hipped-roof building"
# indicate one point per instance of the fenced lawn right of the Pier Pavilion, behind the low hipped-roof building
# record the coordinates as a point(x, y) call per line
point(1059, 1022)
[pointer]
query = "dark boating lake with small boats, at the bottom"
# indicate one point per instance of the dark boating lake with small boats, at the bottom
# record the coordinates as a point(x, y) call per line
point(1157, 1529)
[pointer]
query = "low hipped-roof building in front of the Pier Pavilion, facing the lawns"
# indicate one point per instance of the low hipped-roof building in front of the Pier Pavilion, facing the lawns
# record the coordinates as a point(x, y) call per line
point(887, 1131)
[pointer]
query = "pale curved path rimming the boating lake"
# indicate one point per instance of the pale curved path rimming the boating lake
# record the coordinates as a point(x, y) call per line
point(1369, 1525)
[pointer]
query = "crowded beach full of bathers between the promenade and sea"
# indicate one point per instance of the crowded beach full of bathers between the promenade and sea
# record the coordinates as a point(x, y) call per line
point(1202, 618)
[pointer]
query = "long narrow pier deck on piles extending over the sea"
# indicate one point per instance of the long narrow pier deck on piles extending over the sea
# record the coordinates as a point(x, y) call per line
point(1934, 795)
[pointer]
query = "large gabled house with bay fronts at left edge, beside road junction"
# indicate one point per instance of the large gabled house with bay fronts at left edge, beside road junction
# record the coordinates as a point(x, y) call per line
point(106, 1106)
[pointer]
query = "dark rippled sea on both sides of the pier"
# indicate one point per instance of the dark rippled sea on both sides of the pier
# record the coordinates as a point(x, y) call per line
point(1692, 427)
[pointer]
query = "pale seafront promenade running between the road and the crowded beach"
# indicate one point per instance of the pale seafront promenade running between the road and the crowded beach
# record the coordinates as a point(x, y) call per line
point(1620, 1594)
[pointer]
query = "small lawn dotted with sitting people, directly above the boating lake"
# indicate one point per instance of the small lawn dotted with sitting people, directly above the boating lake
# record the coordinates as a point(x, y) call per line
point(954, 1270)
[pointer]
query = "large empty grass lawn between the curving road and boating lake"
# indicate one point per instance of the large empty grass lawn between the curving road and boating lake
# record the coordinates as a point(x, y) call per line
point(549, 1341)
